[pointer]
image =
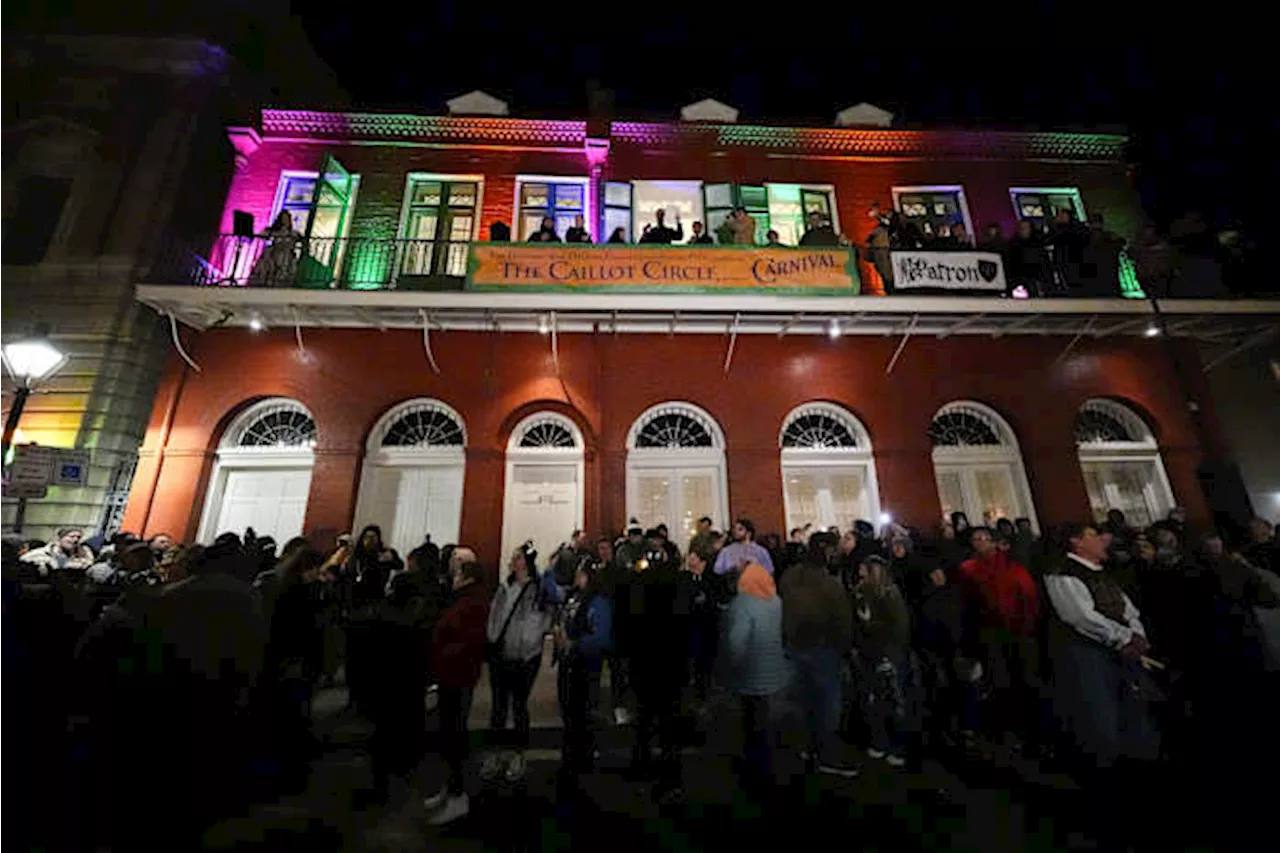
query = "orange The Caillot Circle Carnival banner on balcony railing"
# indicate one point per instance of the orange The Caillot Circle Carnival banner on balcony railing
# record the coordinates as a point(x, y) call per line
point(574, 267)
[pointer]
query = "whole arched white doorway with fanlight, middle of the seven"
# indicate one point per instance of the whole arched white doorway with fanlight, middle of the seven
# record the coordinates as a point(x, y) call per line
point(676, 469)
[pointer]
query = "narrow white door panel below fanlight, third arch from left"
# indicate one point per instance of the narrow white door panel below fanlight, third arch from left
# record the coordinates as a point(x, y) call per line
point(541, 507)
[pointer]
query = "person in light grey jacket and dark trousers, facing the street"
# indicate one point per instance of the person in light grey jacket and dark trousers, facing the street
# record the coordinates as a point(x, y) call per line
point(519, 621)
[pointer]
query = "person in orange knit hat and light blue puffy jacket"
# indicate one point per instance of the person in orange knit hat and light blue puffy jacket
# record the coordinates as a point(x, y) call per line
point(757, 667)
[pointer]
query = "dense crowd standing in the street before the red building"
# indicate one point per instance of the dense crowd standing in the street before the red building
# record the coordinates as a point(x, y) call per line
point(177, 681)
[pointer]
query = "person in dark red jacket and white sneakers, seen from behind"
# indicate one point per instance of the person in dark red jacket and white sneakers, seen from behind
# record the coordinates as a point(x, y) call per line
point(456, 658)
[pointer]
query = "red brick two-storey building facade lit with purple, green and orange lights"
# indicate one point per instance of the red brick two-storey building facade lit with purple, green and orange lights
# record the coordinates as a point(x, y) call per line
point(365, 366)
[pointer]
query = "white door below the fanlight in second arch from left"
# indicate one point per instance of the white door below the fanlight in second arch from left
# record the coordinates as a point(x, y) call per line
point(409, 503)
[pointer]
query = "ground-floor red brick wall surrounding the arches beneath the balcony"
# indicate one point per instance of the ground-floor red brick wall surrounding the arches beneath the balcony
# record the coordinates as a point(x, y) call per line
point(350, 378)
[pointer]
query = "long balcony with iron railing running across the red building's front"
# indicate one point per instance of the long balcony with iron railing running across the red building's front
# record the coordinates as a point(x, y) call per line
point(426, 285)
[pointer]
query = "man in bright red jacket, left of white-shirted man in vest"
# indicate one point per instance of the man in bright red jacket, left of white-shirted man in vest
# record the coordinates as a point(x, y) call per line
point(1003, 609)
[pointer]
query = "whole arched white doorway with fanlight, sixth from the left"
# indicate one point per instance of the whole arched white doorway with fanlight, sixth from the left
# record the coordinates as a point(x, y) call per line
point(979, 466)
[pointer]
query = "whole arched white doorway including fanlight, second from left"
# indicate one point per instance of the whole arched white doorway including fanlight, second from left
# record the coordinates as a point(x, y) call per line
point(413, 477)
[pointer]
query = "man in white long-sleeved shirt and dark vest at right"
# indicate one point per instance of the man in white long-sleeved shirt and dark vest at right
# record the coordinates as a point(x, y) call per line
point(1098, 649)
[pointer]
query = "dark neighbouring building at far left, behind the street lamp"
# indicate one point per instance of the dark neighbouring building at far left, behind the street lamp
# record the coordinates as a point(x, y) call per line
point(111, 149)
